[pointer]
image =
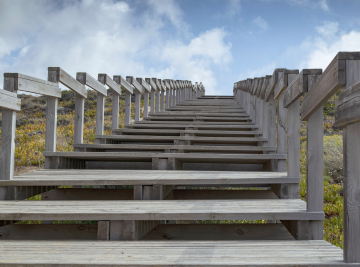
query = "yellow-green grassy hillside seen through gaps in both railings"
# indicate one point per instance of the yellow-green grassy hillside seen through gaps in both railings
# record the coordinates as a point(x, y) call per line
point(30, 145)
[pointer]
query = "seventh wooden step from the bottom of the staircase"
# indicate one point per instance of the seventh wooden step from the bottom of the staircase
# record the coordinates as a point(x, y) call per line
point(183, 132)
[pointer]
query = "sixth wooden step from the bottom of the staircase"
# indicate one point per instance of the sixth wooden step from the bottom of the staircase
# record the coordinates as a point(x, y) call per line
point(104, 139)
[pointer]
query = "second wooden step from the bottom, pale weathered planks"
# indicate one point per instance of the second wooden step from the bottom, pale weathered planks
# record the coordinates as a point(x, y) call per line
point(242, 209)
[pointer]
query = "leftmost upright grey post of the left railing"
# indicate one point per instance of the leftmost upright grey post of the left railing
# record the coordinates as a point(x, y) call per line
point(8, 134)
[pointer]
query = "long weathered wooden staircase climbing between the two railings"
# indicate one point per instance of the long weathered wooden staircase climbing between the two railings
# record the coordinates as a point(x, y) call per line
point(198, 184)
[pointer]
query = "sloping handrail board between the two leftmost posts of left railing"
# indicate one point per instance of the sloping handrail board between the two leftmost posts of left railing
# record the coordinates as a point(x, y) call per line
point(34, 85)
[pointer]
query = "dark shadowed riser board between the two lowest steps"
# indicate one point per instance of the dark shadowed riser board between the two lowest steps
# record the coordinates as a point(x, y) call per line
point(165, 232)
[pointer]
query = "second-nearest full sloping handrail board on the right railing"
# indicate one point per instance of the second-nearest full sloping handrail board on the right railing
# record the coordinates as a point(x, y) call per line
point(299, 86)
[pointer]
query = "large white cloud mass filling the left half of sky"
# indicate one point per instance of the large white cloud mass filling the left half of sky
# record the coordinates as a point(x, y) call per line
point(108, 36)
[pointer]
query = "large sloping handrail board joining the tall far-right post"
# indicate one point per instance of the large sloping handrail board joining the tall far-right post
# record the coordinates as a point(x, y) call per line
point(333, 78)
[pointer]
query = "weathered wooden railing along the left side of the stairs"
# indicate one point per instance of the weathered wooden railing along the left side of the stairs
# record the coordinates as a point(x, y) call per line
point(176, 92)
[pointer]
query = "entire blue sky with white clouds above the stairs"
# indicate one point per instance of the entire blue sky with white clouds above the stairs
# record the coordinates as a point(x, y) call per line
point(217, 42)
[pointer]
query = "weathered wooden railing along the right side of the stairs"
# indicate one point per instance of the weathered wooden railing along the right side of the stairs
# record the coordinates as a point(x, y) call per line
point(274, 104)
